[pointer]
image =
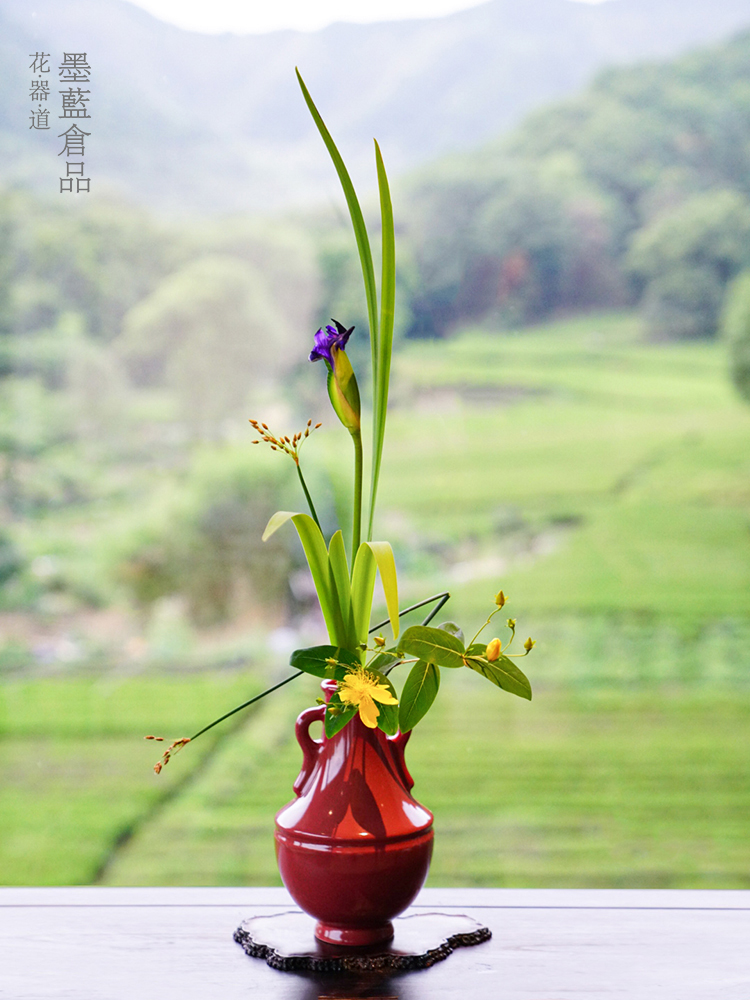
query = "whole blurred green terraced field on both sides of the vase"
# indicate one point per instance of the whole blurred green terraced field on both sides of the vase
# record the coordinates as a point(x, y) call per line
point(604, 483)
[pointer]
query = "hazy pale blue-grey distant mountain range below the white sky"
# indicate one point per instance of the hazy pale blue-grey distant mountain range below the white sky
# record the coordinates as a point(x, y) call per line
point(203, 123)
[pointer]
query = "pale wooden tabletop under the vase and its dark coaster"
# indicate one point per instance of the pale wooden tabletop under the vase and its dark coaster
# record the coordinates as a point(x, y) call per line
point(556, 944)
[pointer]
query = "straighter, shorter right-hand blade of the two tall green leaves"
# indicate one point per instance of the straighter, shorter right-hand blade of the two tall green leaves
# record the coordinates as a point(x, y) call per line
point(382, 370)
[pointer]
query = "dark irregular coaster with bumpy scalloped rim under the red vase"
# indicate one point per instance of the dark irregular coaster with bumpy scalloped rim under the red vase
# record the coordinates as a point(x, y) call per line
point(287, 943)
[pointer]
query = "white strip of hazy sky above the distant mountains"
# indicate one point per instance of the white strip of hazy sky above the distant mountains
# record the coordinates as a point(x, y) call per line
point(242, 16)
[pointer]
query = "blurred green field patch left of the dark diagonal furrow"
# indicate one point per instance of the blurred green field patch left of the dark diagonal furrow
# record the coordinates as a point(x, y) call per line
point(75, 772)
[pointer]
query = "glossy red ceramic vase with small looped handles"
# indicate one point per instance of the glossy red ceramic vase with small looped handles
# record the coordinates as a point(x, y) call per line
point(353, 847)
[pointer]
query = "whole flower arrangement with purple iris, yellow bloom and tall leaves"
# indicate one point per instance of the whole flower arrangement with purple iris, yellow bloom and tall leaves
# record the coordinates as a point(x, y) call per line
point(345, 582)
